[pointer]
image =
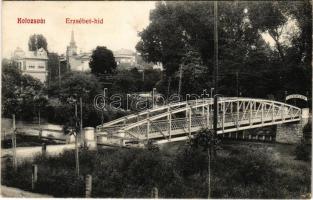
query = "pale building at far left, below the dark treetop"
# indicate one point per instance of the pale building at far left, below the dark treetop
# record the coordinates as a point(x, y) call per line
point(33, 63)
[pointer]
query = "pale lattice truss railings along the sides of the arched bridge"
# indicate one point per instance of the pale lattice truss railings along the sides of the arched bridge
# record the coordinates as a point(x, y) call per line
point(232, 112)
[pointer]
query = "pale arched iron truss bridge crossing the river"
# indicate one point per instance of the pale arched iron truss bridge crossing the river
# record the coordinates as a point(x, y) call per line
point(180, 121)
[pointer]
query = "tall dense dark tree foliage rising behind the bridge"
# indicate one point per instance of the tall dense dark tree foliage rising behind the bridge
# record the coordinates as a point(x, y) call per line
point(268, 44)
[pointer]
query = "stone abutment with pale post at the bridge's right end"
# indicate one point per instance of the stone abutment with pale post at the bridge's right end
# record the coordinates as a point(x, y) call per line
point(292, 133)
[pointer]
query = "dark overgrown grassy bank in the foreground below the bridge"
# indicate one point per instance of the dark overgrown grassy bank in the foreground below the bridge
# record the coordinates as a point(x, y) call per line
point(240, 171)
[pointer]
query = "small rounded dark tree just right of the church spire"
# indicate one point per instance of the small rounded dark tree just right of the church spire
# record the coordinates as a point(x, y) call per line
point(102, 61)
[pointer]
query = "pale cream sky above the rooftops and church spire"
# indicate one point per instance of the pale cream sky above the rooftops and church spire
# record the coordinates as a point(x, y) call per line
point(121, 23)
